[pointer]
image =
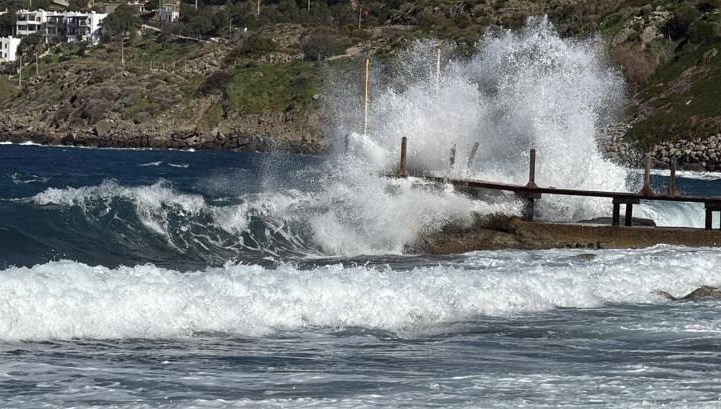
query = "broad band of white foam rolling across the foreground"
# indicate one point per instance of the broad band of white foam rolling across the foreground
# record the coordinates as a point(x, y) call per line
point(64, 299)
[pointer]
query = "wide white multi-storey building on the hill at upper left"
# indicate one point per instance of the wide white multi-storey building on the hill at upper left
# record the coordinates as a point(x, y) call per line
point(60, 25)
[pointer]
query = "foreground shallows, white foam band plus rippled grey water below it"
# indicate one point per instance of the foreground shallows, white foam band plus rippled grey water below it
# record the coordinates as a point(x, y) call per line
point(501, 329)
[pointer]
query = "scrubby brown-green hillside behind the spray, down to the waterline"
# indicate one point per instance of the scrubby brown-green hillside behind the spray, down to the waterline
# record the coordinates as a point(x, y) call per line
point(258, 81)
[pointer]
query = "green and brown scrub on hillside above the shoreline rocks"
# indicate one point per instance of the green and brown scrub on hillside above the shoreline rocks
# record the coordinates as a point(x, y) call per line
point(241, 61)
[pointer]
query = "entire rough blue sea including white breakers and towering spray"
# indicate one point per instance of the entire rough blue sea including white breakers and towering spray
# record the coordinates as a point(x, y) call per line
point(181, 279)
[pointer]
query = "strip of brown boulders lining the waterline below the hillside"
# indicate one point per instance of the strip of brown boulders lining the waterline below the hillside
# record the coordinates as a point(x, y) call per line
point(274, 132)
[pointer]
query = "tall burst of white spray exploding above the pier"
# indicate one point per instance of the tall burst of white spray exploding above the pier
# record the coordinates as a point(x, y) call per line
point(522, 90)
